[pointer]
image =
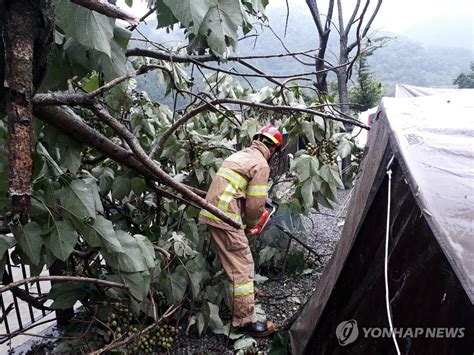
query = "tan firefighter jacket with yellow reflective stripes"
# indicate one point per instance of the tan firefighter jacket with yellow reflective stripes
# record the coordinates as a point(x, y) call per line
point(239, 187)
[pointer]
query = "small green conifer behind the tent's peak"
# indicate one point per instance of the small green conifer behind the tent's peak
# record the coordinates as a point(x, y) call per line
point(368, 91)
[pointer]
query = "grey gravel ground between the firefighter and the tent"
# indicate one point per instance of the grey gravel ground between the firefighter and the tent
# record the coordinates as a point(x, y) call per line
point(282, 297)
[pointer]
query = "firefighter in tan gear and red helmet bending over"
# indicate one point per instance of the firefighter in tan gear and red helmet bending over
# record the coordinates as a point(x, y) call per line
point(239, 189)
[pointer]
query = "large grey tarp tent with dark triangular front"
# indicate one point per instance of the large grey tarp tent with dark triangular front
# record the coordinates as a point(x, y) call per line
point(431, 241)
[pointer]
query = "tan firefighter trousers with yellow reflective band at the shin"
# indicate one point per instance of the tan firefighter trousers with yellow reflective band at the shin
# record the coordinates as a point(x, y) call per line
point(234, 253)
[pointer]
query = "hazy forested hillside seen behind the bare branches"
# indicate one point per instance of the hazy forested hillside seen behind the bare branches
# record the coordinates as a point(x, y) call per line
point(402, 59)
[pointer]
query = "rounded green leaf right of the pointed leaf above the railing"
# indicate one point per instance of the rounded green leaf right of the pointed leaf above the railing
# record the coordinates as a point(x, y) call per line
point(62, 239)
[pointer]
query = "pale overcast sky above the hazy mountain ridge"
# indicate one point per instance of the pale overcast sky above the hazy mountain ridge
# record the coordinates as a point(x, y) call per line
point(394, 16)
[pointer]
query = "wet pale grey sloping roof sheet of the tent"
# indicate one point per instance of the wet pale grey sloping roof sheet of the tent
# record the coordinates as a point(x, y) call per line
point(435, 138)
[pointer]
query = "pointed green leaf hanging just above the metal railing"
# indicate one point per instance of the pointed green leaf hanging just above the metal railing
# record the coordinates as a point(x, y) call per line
point(29, 239)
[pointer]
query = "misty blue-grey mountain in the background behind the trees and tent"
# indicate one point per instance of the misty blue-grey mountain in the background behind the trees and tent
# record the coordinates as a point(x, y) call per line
point(435, 58)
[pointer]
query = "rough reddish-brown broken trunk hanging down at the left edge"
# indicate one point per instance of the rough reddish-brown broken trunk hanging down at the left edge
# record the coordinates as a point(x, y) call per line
point(20, 34)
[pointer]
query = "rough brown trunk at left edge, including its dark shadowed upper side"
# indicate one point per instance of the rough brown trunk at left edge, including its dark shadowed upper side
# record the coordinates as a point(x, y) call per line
point(28, 26)
